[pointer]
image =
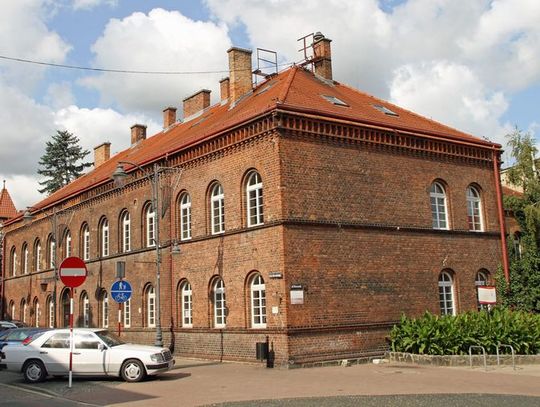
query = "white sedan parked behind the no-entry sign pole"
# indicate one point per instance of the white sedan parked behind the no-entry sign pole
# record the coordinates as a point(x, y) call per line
point(96, 352)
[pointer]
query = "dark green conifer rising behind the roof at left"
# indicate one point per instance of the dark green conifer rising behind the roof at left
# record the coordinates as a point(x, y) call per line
point(61, 162)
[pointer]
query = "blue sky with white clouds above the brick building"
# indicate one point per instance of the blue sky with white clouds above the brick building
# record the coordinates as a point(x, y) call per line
point(473, 65)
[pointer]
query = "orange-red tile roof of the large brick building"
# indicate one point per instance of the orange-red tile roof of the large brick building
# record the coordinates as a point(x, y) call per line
point(294, 89)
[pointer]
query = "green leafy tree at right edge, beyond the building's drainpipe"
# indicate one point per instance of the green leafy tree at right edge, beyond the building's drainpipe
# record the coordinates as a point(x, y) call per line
point(524, 290)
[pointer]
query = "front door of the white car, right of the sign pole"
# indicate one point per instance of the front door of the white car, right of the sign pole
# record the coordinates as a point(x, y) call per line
point(89, 358)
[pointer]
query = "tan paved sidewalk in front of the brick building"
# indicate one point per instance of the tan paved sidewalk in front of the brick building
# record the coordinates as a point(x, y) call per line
point(195, 383)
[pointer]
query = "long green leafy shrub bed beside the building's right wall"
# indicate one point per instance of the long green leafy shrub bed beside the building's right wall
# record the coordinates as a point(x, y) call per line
point(452, 335)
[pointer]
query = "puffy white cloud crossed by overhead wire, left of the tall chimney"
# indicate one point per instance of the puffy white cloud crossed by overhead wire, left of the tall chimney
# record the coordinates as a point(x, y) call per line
point(163, 41)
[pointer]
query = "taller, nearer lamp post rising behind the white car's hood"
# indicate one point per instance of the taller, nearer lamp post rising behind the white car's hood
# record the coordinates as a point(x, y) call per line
point(119, 176)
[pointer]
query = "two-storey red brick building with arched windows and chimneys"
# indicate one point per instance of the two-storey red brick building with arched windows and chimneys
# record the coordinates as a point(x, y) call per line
point(306, 212)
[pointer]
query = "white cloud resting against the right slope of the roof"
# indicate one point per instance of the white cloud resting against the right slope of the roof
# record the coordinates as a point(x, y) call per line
point(452, 94)
